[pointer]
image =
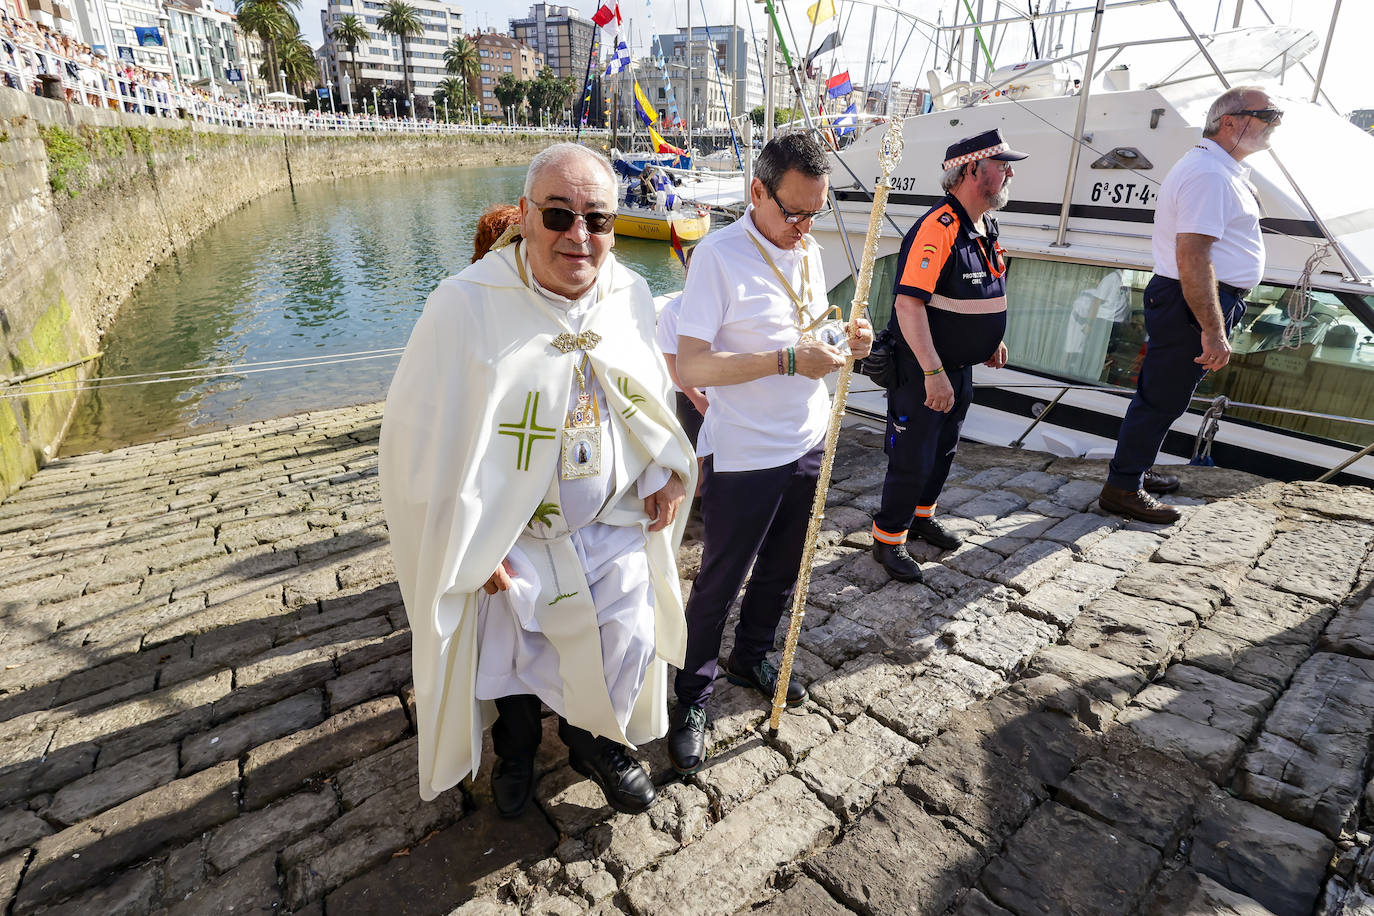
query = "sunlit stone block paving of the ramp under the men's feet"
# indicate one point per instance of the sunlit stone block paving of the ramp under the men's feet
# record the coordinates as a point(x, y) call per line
point(207, 708)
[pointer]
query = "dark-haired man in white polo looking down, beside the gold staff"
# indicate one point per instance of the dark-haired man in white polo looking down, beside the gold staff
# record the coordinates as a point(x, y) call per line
point(750, 314)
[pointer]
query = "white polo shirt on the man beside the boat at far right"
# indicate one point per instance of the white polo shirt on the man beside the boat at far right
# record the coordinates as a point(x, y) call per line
point(1208, 193)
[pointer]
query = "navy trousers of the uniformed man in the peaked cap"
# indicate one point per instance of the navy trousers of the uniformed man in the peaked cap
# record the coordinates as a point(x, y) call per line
point(921, 444)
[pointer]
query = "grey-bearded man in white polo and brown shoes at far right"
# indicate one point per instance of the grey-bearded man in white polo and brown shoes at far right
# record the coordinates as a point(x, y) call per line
point(1208, 255)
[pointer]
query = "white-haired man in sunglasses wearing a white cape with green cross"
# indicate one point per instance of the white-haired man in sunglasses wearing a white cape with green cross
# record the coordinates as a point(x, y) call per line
point(532, 470)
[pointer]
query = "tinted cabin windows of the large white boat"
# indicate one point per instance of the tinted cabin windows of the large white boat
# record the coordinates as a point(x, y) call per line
point(1086, 325)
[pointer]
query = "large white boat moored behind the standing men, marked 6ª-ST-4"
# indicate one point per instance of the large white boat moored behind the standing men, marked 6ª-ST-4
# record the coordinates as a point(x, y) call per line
point(1298, 399)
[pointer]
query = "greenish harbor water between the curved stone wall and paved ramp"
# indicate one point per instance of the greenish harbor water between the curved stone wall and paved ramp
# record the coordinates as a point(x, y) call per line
point(330, 273)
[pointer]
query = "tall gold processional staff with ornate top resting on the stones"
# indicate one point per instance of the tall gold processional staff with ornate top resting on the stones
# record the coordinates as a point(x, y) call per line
point(888, 160)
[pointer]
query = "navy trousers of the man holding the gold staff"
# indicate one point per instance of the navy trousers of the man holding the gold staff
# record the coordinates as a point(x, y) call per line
point(747, 516)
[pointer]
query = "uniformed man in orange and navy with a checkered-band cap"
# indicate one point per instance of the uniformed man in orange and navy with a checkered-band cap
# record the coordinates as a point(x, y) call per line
point(951, 310)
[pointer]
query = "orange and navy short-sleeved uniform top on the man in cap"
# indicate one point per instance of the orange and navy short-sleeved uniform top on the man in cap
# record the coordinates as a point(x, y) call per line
point(962, 278)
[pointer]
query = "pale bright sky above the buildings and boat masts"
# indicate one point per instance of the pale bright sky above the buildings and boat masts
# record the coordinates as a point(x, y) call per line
point(1346, 80)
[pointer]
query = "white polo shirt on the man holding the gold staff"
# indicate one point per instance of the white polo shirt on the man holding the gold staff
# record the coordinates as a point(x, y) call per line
point(734, 303)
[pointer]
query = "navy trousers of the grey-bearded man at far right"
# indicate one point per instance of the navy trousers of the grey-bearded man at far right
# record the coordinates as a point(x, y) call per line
point(1169, 377)
